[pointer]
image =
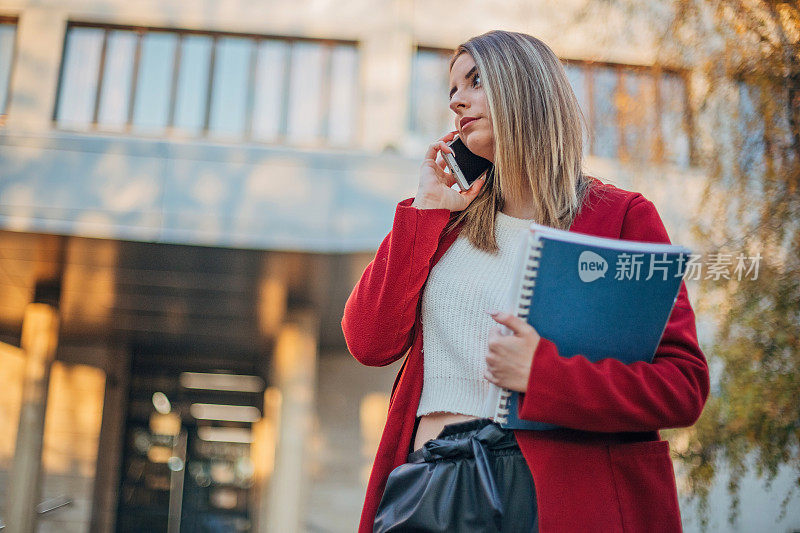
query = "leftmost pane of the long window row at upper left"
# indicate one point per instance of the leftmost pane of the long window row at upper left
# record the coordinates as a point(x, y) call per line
point(79, 78)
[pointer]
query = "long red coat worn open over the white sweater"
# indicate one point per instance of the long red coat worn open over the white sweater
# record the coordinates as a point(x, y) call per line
point(589, 480)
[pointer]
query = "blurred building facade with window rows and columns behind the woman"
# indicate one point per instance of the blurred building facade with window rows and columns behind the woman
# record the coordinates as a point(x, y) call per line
point(189, 191)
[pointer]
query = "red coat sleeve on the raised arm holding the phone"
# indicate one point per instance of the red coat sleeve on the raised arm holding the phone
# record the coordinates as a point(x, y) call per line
point(380, 313)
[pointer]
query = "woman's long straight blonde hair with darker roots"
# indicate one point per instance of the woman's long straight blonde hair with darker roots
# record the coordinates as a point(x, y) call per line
point(538, 135)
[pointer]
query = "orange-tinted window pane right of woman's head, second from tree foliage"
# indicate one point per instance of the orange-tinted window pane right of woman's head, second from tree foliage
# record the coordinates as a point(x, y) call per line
point(637, 113)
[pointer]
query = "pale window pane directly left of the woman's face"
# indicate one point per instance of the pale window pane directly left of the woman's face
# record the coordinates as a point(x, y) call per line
point(430, 114)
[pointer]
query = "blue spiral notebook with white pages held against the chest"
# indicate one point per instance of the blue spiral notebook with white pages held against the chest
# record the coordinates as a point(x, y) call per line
point(593, 296)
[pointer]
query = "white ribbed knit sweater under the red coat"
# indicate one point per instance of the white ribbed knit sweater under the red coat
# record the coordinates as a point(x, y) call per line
point(461, 287)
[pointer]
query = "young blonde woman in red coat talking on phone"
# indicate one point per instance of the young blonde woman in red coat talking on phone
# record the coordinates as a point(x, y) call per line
point(441, 272)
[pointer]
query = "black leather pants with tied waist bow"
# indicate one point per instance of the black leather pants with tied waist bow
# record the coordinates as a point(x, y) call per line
point(471, 478)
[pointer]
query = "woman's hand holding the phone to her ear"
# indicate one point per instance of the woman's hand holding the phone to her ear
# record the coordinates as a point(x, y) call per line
point(435, 184)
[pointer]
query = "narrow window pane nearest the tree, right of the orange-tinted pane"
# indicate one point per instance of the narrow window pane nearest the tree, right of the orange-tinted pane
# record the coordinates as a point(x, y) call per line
point(673, 125)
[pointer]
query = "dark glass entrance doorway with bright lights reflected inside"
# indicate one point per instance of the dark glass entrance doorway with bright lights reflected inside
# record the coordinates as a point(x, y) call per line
point(186, 463)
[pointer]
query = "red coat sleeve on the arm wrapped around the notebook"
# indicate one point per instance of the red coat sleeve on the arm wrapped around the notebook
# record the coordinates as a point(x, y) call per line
point(610, 396)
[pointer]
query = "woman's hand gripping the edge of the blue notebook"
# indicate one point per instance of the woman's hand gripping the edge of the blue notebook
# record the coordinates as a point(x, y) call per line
point(508, 363)
